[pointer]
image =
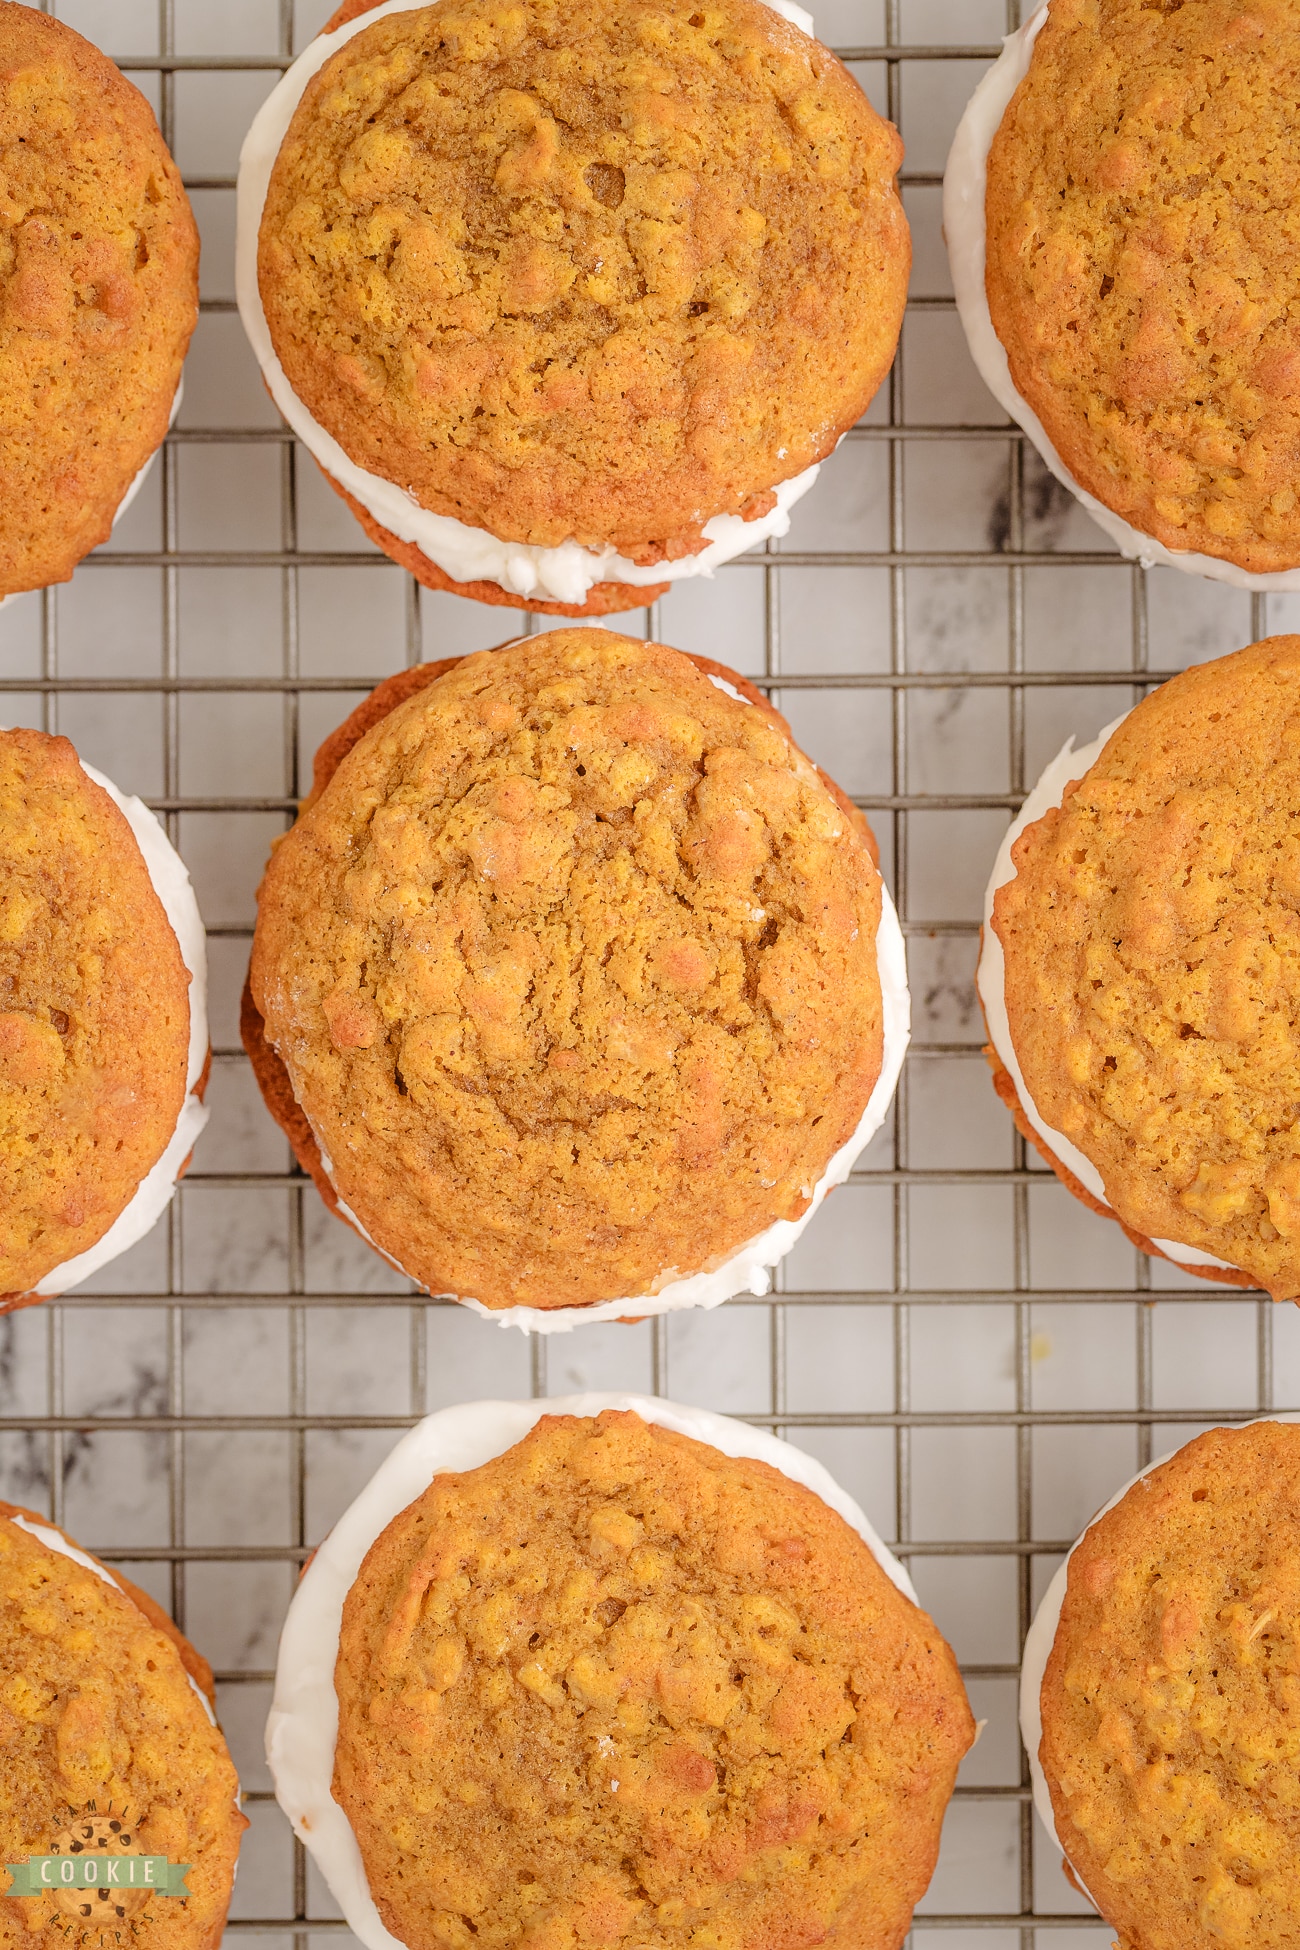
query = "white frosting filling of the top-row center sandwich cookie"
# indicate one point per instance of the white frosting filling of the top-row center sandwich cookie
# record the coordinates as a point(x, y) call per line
point(562, 574)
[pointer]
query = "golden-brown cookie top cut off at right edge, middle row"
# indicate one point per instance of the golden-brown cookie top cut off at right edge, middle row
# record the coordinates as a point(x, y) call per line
point(1153, 962)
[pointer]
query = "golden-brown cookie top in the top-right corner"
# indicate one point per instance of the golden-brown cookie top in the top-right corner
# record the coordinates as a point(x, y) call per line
point(1143, 272)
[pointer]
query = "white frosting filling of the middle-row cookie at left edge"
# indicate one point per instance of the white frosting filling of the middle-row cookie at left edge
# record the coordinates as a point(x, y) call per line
point(153, 1196)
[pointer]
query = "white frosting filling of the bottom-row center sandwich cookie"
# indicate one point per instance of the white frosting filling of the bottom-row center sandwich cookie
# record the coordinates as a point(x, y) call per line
point(305, 1713)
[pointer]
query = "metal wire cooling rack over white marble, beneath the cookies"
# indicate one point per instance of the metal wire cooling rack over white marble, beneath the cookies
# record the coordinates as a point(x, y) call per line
point(975, 1356)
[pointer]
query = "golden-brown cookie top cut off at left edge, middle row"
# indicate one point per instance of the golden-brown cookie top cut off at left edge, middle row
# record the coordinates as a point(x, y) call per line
point(95, 1011)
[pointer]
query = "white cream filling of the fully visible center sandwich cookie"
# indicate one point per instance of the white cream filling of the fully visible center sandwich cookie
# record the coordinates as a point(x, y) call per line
point(747, 1270)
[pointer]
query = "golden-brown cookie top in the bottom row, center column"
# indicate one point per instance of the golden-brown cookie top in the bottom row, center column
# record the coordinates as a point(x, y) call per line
point(619, 1688)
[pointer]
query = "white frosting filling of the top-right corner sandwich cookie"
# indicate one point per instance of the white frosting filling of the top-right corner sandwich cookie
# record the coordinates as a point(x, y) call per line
point(964, 227)
